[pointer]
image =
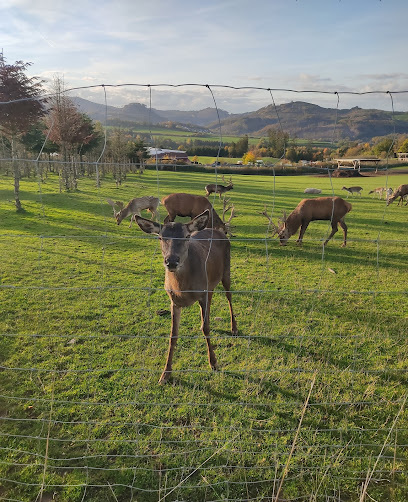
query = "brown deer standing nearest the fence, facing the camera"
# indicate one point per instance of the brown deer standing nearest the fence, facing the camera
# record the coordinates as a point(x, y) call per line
point(196, 259)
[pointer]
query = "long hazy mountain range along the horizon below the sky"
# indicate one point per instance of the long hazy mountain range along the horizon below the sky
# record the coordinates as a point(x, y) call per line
point(299, 119)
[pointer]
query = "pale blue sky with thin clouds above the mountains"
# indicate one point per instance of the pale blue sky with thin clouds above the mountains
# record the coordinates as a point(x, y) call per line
point(327, 46)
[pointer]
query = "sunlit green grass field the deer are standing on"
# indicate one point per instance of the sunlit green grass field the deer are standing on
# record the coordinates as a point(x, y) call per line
point(309, 402)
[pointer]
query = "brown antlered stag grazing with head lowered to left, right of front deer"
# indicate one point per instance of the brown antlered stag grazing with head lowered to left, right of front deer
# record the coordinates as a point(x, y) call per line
point(333, 209)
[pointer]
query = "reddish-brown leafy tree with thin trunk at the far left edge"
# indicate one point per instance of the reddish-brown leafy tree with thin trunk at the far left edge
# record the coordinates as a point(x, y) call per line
point(22, 107)
